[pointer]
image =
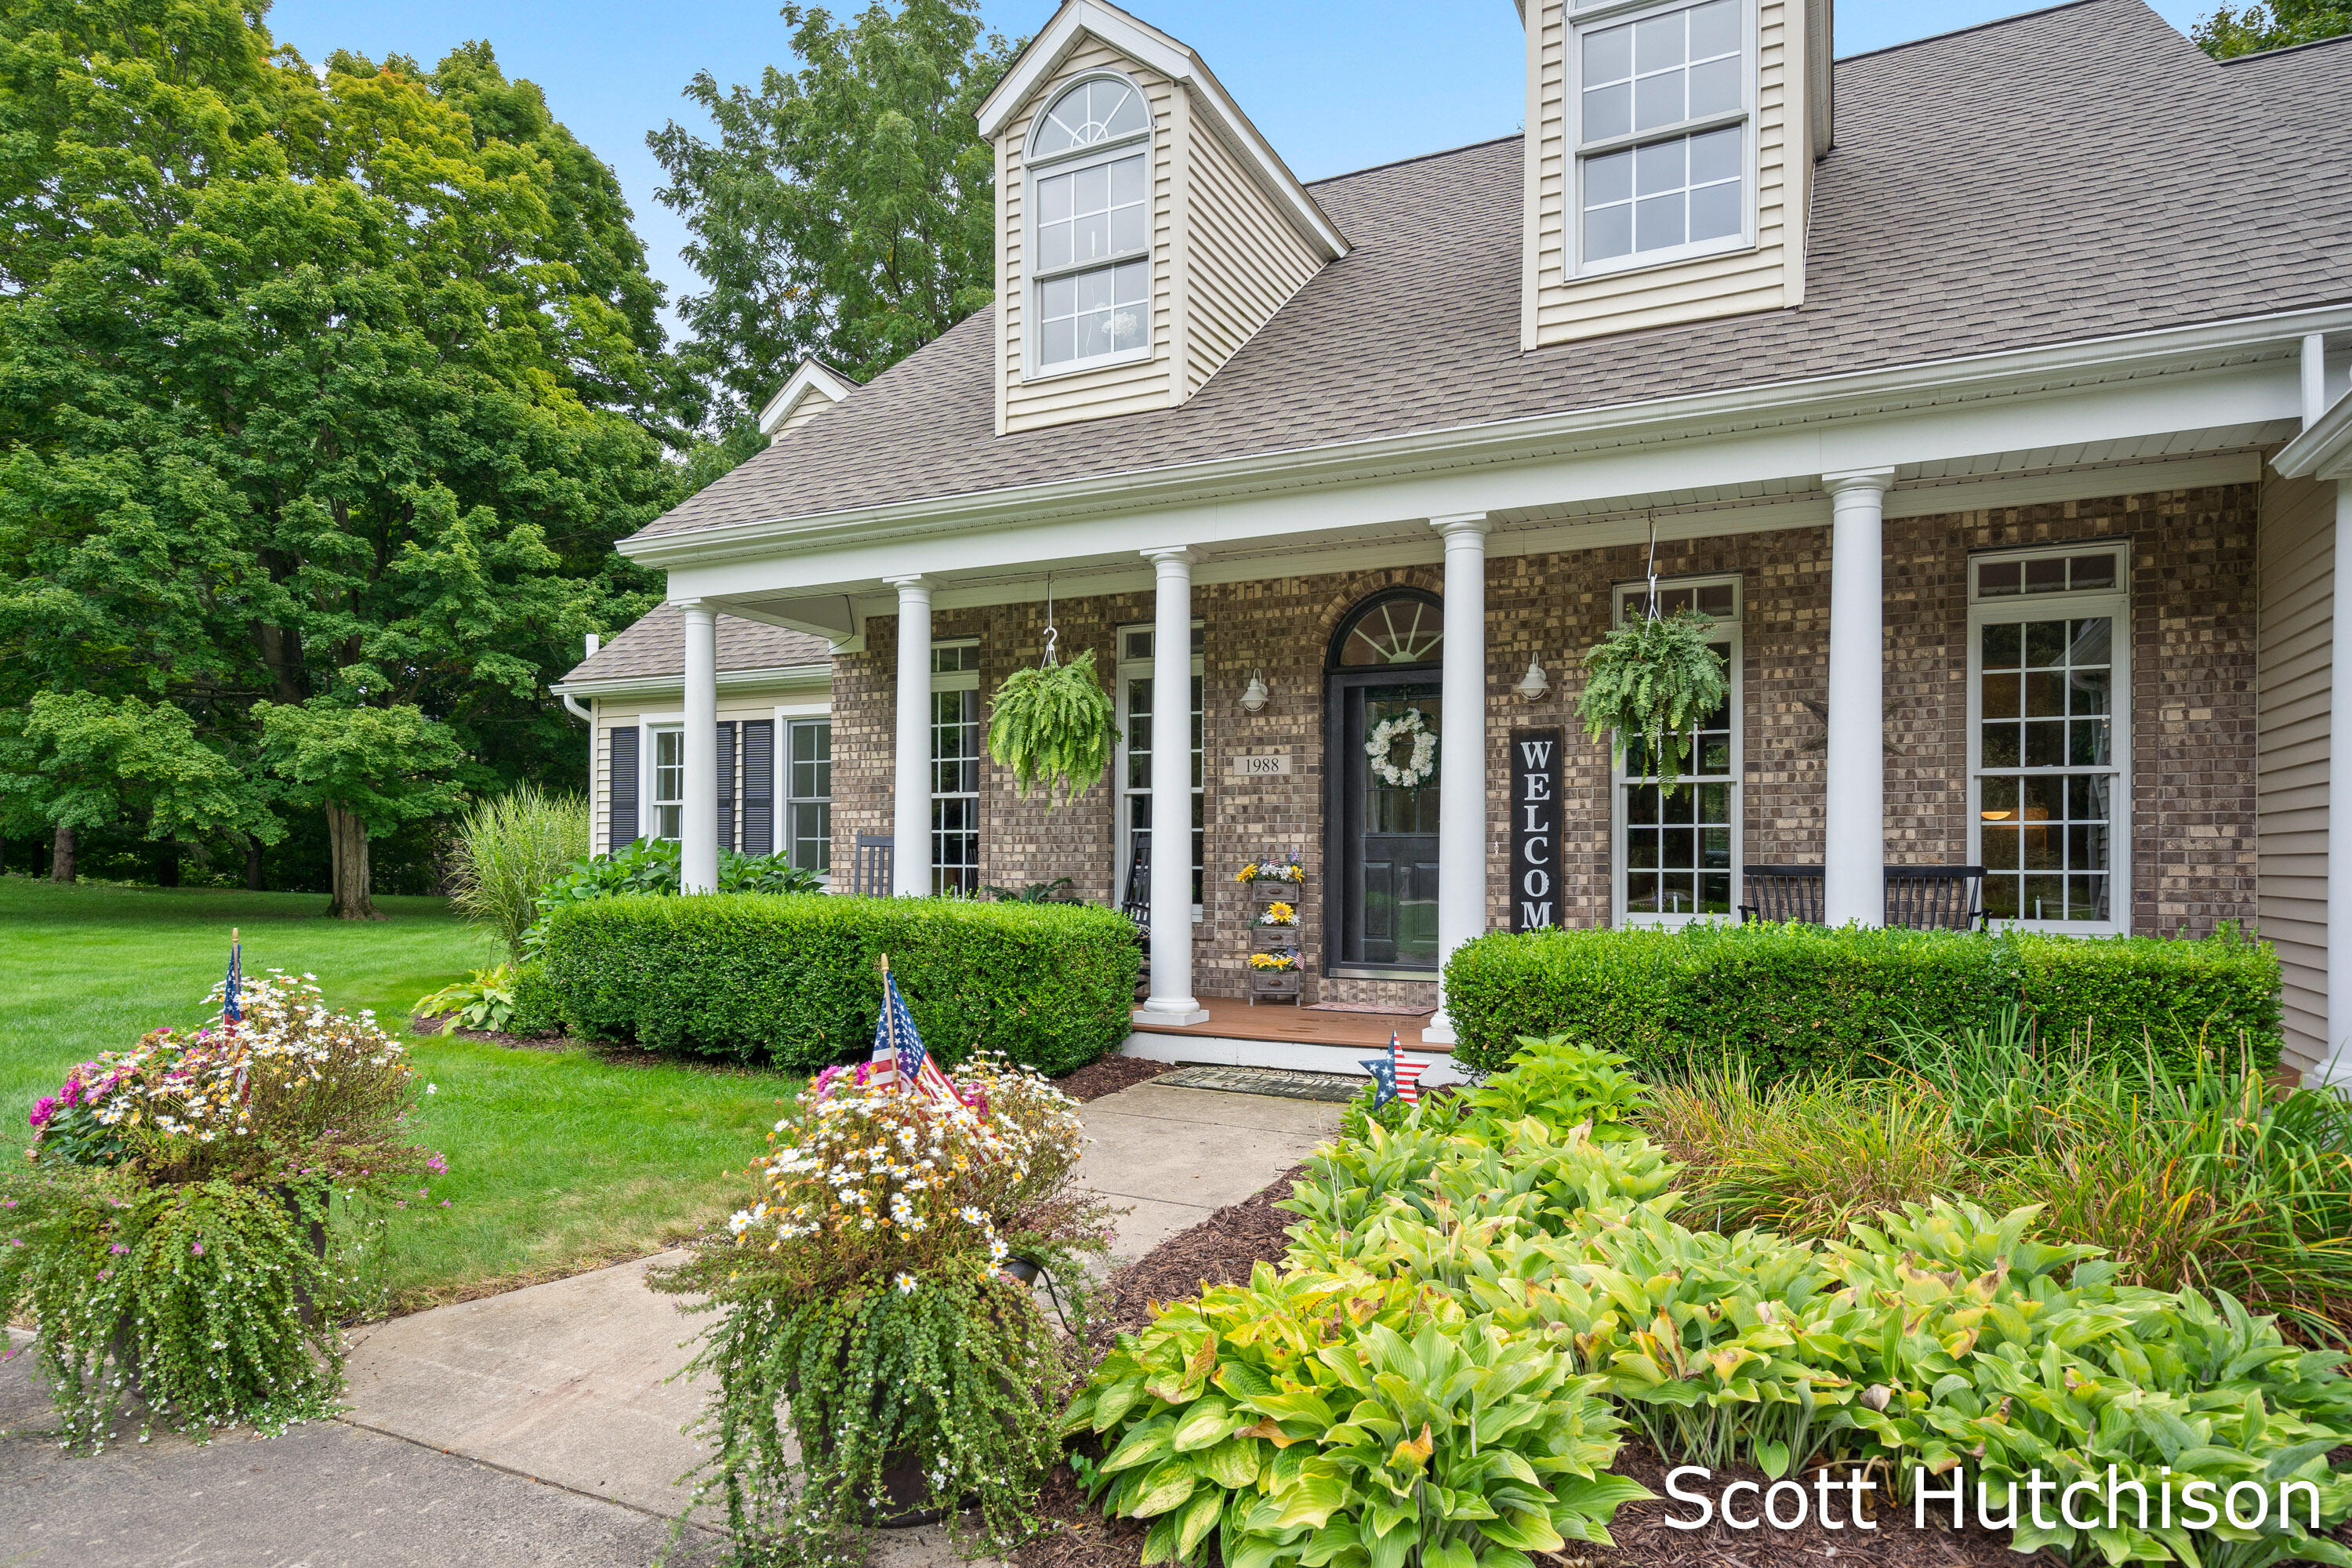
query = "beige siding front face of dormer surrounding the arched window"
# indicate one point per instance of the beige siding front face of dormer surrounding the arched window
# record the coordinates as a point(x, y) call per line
point(1116, 389)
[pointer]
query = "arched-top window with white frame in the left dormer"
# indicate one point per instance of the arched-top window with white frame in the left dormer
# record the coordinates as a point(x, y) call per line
point(1093, 227)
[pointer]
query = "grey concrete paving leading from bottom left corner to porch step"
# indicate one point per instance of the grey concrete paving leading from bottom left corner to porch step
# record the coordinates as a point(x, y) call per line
point(537, 1426)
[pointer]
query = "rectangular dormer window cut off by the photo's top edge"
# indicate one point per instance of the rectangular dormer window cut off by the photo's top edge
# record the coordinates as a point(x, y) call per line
point(1664, 133)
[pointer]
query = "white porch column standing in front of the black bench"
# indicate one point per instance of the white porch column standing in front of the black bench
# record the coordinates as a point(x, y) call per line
point(1855, 789)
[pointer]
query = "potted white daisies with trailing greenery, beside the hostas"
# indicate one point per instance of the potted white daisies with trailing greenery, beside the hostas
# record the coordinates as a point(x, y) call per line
point(864, 1294)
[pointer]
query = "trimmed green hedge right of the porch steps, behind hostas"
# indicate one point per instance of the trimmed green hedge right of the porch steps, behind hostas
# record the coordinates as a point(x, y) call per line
point(1808, 1000)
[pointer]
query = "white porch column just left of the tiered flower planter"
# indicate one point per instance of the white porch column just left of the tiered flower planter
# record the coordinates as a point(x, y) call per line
point(1172, 793)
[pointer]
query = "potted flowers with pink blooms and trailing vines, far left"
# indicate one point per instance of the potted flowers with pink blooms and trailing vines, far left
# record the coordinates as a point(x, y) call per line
point(203, 1209)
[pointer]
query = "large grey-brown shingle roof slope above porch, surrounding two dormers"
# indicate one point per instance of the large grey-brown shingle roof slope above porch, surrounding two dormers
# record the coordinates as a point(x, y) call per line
point(2064, 175)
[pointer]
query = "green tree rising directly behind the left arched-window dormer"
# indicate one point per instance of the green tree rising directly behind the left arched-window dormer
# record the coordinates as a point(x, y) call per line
point(848, 208)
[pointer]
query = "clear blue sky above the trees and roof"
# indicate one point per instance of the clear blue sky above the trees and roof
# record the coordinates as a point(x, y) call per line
point(1332, 83)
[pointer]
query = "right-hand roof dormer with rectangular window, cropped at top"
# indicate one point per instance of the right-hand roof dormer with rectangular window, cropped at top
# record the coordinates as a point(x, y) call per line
point(1669, 161)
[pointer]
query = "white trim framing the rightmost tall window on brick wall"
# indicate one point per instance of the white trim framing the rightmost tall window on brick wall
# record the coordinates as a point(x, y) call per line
point(2062, 608)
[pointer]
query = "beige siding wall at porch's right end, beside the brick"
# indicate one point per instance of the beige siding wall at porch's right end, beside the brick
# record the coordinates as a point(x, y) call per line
point(2297, 582)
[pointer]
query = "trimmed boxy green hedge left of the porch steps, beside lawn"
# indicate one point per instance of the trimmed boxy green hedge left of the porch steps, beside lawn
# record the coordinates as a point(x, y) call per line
point(794, 977)
